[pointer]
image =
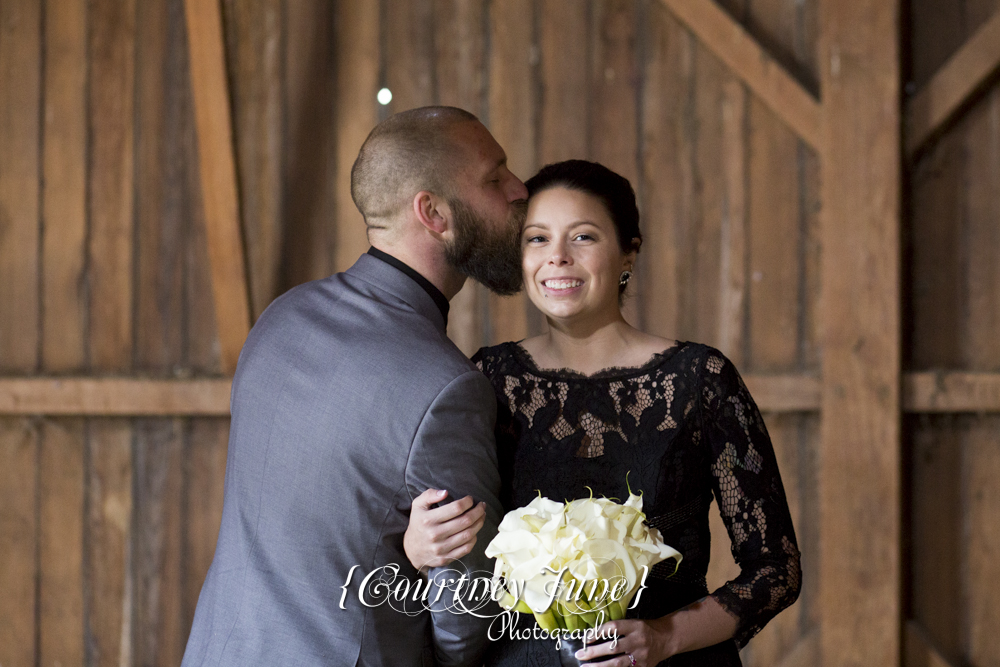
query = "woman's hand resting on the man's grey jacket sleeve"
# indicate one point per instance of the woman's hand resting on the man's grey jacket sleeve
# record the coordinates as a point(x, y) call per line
point(437, 536)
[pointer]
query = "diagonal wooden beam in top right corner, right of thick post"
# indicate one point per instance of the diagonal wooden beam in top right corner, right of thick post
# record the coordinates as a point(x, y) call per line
point(953, 87)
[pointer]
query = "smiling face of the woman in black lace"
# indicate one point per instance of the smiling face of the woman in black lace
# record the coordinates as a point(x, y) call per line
point(571, 258)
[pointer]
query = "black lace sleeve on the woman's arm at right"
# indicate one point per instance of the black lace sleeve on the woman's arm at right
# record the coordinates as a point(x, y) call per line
point(751, 499)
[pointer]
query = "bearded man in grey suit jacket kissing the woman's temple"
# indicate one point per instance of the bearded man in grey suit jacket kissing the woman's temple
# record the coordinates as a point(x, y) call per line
point(349, 401)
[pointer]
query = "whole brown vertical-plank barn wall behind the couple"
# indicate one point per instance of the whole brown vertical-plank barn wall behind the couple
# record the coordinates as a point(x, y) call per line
point(108, 524)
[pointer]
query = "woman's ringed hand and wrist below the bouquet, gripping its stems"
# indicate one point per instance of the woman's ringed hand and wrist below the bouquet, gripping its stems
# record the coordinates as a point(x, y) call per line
point(641, 643)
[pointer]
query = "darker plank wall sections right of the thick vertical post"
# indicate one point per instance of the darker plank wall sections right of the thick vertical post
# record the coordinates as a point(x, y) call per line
point(952, 294)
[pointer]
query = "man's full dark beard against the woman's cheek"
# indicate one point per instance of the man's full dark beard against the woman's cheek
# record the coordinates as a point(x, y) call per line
point(485, 252)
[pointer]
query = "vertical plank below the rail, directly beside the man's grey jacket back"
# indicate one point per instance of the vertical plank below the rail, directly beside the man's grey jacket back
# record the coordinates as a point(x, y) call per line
point(204, 464)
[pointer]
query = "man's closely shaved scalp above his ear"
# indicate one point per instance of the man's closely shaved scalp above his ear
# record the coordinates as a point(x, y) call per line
point(408, 152)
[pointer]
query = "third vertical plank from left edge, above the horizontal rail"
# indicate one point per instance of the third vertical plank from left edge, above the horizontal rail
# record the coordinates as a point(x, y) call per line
point(111, 46)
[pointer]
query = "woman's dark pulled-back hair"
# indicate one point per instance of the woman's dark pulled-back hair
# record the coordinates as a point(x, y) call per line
point(614, 191)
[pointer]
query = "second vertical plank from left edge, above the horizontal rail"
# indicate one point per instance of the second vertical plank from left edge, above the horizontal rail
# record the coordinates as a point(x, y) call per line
point(64, 196)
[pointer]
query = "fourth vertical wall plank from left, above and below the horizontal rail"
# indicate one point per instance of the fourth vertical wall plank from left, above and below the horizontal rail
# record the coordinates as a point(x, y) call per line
point(164, 205)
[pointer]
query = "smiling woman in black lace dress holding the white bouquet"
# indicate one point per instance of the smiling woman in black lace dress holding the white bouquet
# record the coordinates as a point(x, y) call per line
point(593, 400)
